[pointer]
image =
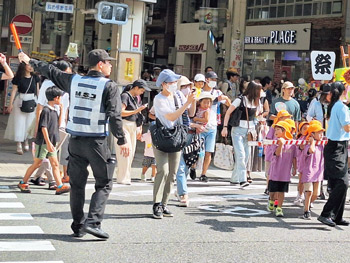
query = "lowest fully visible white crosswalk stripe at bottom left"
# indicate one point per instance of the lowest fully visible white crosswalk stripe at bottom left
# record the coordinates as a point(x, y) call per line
point(30, 245)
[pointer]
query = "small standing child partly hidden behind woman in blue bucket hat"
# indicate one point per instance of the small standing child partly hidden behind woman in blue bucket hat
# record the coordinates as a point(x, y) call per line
point(148, 157)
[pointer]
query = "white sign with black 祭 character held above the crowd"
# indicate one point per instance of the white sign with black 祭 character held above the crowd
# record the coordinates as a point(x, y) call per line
point(322, 64)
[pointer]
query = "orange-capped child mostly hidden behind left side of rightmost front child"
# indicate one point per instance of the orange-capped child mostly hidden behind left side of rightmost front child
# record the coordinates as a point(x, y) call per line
point(303, 126)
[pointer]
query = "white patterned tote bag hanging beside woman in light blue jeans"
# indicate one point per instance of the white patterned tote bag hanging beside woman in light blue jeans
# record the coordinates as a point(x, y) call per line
point(223, 157)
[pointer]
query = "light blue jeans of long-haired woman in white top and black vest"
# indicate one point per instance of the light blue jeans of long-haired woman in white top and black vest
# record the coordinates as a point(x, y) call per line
point(242, 152)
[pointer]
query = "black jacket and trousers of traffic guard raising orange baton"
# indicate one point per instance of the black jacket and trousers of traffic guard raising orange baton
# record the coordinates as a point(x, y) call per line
point(89, 150)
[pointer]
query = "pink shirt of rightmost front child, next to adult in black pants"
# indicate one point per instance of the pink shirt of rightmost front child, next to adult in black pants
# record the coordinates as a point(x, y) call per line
point(312, 169)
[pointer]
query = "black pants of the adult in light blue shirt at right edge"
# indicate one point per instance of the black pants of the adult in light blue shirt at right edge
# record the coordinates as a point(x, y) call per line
point(336, 172)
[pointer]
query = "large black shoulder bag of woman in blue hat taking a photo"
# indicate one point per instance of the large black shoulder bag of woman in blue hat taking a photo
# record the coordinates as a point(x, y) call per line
point(169, 140)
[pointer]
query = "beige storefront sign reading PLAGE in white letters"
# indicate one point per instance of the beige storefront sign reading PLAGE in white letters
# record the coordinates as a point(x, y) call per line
point(278, 37)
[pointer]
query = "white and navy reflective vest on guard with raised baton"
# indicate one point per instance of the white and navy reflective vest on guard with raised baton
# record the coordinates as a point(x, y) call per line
point(87, 115)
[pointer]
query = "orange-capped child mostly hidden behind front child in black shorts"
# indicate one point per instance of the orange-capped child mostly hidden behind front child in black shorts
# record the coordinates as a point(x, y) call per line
point(281, 116)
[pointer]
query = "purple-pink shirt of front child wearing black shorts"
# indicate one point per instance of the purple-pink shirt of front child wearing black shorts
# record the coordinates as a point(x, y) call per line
point(281, 166)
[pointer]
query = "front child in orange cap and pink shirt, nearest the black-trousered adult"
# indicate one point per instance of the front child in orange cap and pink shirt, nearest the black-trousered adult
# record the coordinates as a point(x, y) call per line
point(312, 169)
